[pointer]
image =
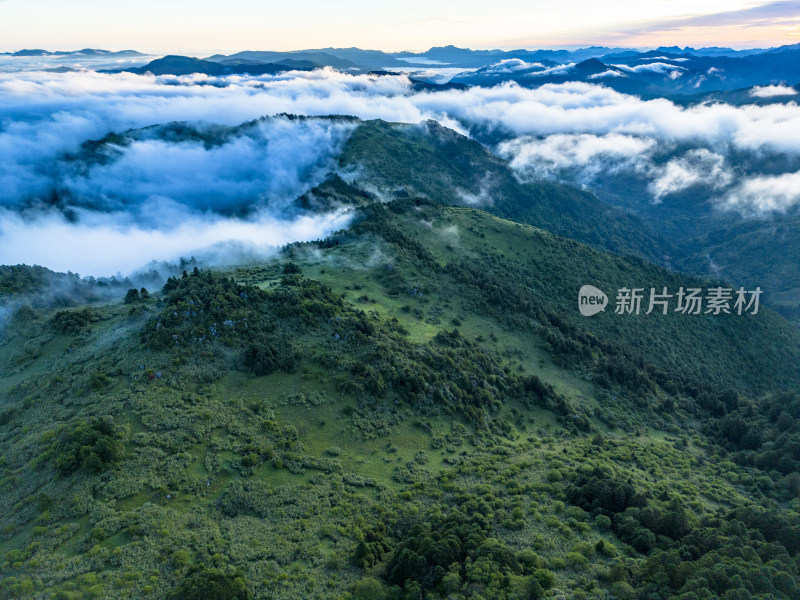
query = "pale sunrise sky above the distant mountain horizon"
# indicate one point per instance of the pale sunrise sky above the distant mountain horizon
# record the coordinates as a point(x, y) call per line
point(202, 27)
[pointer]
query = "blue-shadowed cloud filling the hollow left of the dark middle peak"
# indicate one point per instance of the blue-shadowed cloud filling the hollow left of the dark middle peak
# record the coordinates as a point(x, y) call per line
point(270, 164)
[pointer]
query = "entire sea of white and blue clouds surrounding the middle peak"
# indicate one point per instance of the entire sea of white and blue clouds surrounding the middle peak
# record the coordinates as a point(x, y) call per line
point(156, 199)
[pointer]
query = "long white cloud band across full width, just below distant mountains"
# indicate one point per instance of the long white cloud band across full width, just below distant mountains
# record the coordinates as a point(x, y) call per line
point(116, 102)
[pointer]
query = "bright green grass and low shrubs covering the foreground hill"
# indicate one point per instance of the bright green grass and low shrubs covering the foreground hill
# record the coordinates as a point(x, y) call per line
point(358, 462)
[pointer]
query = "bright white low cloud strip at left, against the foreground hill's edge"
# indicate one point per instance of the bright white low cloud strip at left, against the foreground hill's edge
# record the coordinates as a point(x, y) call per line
point(109, 243)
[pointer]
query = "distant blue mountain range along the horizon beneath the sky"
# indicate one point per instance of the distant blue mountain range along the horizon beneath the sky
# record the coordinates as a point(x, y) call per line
point(665, 71)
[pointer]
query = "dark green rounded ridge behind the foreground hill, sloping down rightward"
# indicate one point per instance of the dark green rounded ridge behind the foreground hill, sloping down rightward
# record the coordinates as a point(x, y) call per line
point(447, 167)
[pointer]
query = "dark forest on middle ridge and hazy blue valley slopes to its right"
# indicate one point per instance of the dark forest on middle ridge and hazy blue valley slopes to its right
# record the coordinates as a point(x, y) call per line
point(686, 231)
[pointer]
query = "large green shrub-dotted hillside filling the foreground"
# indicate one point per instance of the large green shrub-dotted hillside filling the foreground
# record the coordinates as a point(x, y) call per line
point(412, 408)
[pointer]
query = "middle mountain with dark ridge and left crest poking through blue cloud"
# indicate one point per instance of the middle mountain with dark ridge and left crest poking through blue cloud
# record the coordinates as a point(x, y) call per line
point(401, 160)
